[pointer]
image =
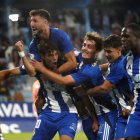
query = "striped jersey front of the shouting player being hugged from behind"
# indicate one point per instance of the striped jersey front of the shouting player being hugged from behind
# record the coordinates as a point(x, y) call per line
point(56, 96)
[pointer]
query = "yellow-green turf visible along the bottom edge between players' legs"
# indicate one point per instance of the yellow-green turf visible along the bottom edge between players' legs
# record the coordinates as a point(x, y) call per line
point(27, 136)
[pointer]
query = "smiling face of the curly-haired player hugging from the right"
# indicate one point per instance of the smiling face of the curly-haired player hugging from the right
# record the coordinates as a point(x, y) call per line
point(88, 49)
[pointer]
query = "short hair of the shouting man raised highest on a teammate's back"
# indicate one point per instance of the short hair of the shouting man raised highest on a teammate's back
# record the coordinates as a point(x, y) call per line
point(42, 13)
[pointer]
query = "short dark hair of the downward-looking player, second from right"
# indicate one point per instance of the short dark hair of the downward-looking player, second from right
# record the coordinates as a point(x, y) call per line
point(113, 41)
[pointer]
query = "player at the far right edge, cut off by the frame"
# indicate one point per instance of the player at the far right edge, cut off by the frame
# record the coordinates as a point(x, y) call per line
point(131, 40)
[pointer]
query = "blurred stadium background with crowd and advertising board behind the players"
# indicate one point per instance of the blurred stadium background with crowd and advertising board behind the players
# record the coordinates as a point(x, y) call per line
point(76, 17)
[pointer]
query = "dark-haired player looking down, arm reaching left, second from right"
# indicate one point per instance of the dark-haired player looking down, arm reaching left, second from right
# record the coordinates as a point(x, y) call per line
point(118, 78)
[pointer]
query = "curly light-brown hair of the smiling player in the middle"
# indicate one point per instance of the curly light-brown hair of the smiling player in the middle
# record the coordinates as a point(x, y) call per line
point(96, 37)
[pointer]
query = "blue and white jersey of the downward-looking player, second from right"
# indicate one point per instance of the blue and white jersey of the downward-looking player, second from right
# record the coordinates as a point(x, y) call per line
point(118, 76)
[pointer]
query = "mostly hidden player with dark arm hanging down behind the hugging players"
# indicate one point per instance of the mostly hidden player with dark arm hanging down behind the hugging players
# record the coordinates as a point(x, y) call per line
point(85, 108)
